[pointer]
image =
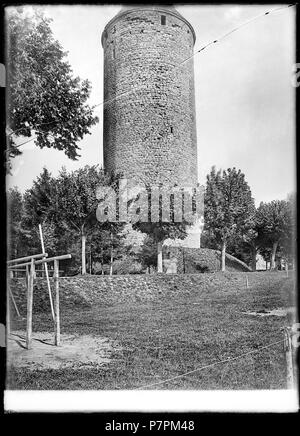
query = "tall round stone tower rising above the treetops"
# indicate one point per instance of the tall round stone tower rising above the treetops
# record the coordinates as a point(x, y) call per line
point(149, 97)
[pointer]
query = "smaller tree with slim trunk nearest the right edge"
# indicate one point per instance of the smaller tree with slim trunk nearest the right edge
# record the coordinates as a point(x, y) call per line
point(277, 223)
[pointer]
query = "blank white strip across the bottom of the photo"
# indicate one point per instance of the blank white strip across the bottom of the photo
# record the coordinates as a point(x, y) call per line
point(151, 401)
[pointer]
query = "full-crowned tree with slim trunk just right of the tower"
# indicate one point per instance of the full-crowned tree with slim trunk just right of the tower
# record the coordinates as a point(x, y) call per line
point(228, 207)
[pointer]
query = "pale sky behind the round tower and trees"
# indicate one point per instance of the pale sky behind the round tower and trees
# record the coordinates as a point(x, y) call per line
point(245, 101)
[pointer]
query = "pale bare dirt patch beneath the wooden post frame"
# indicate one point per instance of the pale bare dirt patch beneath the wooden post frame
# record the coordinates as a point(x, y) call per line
point(75, 351)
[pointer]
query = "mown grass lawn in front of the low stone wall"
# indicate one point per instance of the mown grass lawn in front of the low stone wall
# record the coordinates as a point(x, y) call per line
point(165, 338)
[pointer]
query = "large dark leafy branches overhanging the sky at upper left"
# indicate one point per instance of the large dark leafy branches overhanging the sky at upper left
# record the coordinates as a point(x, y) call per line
point(44, 98)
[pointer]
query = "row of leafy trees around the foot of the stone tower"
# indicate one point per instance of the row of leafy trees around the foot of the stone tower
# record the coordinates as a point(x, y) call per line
point(66, 205)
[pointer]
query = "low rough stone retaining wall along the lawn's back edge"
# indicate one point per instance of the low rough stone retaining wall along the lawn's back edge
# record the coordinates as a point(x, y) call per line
point(83, 292)
